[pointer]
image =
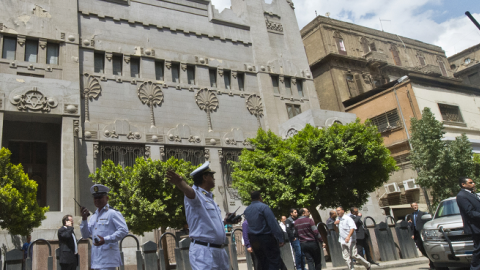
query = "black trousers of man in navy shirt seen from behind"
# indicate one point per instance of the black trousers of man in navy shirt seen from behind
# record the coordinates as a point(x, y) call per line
point(267, 251)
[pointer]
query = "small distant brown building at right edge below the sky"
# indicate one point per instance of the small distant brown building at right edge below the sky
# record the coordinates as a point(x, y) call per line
point(466, 65)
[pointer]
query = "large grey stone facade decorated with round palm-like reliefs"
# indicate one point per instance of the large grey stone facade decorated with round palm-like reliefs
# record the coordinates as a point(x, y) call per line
point(84, 81)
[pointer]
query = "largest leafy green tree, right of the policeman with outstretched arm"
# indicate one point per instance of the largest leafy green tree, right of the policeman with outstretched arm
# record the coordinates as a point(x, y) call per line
point(334, 166)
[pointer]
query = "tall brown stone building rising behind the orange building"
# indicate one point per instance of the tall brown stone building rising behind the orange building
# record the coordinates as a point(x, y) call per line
point(347, 59)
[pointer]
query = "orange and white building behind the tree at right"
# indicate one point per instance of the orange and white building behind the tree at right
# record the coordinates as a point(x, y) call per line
point(391, 108)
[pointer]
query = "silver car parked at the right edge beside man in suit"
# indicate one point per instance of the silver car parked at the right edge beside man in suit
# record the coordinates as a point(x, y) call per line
point(443, 237)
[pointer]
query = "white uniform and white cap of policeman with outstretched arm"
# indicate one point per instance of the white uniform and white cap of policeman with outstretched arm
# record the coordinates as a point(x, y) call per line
point(206, 229)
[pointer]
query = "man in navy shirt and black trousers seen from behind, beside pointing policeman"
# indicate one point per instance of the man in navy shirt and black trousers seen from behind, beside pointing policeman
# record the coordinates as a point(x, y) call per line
point(266, 236)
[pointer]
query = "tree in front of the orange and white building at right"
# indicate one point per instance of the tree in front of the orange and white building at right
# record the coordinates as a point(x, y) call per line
point(438, 162)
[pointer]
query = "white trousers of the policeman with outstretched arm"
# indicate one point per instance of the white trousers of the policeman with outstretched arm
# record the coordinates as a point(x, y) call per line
point(208, 258)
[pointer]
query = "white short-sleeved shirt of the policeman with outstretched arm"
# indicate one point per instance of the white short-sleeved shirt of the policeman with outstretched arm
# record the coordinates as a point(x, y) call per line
point(204, 217)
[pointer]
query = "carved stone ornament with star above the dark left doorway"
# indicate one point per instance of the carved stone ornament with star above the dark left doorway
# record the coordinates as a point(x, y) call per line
point(34, 100)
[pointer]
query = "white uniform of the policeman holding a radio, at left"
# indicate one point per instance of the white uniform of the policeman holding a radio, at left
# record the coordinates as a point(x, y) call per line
point(111, 225)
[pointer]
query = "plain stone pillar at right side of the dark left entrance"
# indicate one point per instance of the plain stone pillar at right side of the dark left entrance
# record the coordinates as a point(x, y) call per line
point(67, 190)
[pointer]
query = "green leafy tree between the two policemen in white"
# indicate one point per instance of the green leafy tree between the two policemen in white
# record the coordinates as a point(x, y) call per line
point(143, 194)
